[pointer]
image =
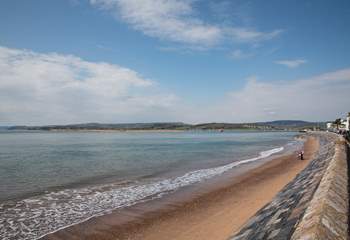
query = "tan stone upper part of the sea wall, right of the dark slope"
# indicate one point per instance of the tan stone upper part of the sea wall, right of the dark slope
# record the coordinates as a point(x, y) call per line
point(327, 214)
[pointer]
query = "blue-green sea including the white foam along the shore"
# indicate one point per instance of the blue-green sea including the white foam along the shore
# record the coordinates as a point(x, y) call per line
point(50, 180)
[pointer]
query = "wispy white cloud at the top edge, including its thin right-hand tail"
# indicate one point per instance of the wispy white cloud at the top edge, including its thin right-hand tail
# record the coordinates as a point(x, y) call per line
point(176, 21)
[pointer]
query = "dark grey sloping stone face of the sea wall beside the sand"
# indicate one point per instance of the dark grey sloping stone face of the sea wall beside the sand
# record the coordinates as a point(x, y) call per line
point(279, 219)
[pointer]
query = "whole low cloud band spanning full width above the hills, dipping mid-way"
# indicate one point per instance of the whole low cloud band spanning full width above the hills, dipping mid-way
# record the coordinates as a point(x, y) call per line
point(51, 88)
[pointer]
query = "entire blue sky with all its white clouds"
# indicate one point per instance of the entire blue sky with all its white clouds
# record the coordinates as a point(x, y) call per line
point(193, 61)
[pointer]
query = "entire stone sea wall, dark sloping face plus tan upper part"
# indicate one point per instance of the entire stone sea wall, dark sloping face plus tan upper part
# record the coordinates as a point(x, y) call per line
point(314, 206)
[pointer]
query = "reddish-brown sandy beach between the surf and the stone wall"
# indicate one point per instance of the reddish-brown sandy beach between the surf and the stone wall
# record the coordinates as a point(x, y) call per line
point(215, 214)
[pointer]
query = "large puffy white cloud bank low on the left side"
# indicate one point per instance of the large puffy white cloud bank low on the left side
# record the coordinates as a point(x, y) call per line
point(53, 88)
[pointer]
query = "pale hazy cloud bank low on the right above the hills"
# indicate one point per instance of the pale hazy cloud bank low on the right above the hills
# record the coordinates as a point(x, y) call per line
point(321, 97)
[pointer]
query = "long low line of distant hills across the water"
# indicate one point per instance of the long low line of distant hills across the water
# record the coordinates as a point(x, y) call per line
point(273, 125)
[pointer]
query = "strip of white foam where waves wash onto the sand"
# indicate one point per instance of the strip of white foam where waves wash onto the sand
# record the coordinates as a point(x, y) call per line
point(37, 216)
